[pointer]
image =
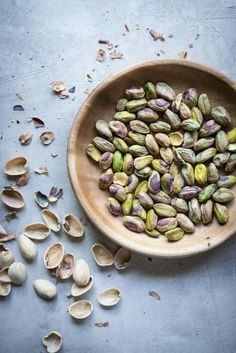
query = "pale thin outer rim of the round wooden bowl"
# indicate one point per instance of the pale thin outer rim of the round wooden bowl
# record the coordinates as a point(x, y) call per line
point(200, 248)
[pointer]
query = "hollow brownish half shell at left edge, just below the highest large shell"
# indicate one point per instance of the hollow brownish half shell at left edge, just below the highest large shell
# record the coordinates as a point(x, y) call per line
point(12, 197)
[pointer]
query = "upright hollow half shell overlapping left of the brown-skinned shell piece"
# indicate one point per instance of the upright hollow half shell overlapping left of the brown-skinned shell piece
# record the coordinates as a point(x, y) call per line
point(53, 255)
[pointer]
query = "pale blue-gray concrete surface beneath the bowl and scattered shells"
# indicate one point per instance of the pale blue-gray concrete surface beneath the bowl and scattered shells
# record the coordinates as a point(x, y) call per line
point(42, 41)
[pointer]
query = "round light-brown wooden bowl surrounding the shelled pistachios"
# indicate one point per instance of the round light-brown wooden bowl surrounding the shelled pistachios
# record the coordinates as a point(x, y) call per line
point(84, 174)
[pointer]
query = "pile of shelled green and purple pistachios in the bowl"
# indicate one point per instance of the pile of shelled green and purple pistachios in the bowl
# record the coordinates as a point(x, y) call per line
point(165, 160)
